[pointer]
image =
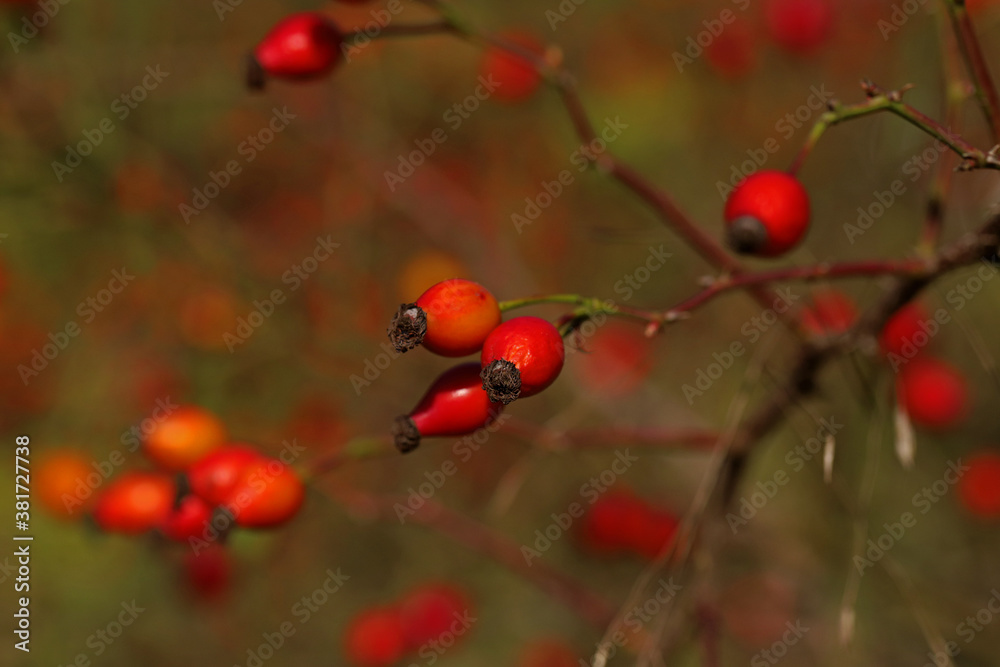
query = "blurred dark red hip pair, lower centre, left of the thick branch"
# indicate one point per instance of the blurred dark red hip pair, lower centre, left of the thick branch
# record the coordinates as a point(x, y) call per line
point(620, 522)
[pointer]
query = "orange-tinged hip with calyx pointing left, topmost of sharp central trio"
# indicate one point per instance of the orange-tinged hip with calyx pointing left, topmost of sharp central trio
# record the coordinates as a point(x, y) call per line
point(452, 319)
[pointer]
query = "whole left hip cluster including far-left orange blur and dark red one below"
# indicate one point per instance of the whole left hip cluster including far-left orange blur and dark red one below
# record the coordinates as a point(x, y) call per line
point(203, 486)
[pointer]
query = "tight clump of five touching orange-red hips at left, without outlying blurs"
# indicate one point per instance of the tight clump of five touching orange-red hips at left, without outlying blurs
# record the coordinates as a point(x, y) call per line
point(200, 473)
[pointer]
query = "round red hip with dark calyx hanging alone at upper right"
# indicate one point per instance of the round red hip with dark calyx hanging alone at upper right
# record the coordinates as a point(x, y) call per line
point(767, 214)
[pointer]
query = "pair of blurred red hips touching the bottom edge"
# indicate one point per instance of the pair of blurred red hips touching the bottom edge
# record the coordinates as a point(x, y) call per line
point(429, 618)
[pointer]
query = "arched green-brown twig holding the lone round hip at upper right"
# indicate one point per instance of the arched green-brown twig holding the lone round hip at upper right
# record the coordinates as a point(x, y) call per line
point(891, 101)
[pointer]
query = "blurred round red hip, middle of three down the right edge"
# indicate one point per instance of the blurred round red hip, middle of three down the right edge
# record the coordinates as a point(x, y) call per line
point(934, 393)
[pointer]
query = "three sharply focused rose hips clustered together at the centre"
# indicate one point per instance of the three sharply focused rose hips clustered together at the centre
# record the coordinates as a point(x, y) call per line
point(455, 318)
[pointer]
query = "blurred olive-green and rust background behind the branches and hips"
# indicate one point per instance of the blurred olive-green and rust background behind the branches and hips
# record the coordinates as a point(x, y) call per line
point(322, 176)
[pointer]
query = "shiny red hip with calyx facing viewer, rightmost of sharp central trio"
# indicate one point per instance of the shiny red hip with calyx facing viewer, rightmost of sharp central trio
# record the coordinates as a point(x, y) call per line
point(520, 358)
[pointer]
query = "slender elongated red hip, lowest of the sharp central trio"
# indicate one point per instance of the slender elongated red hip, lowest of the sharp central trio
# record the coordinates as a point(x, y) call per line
point(455, 404)
